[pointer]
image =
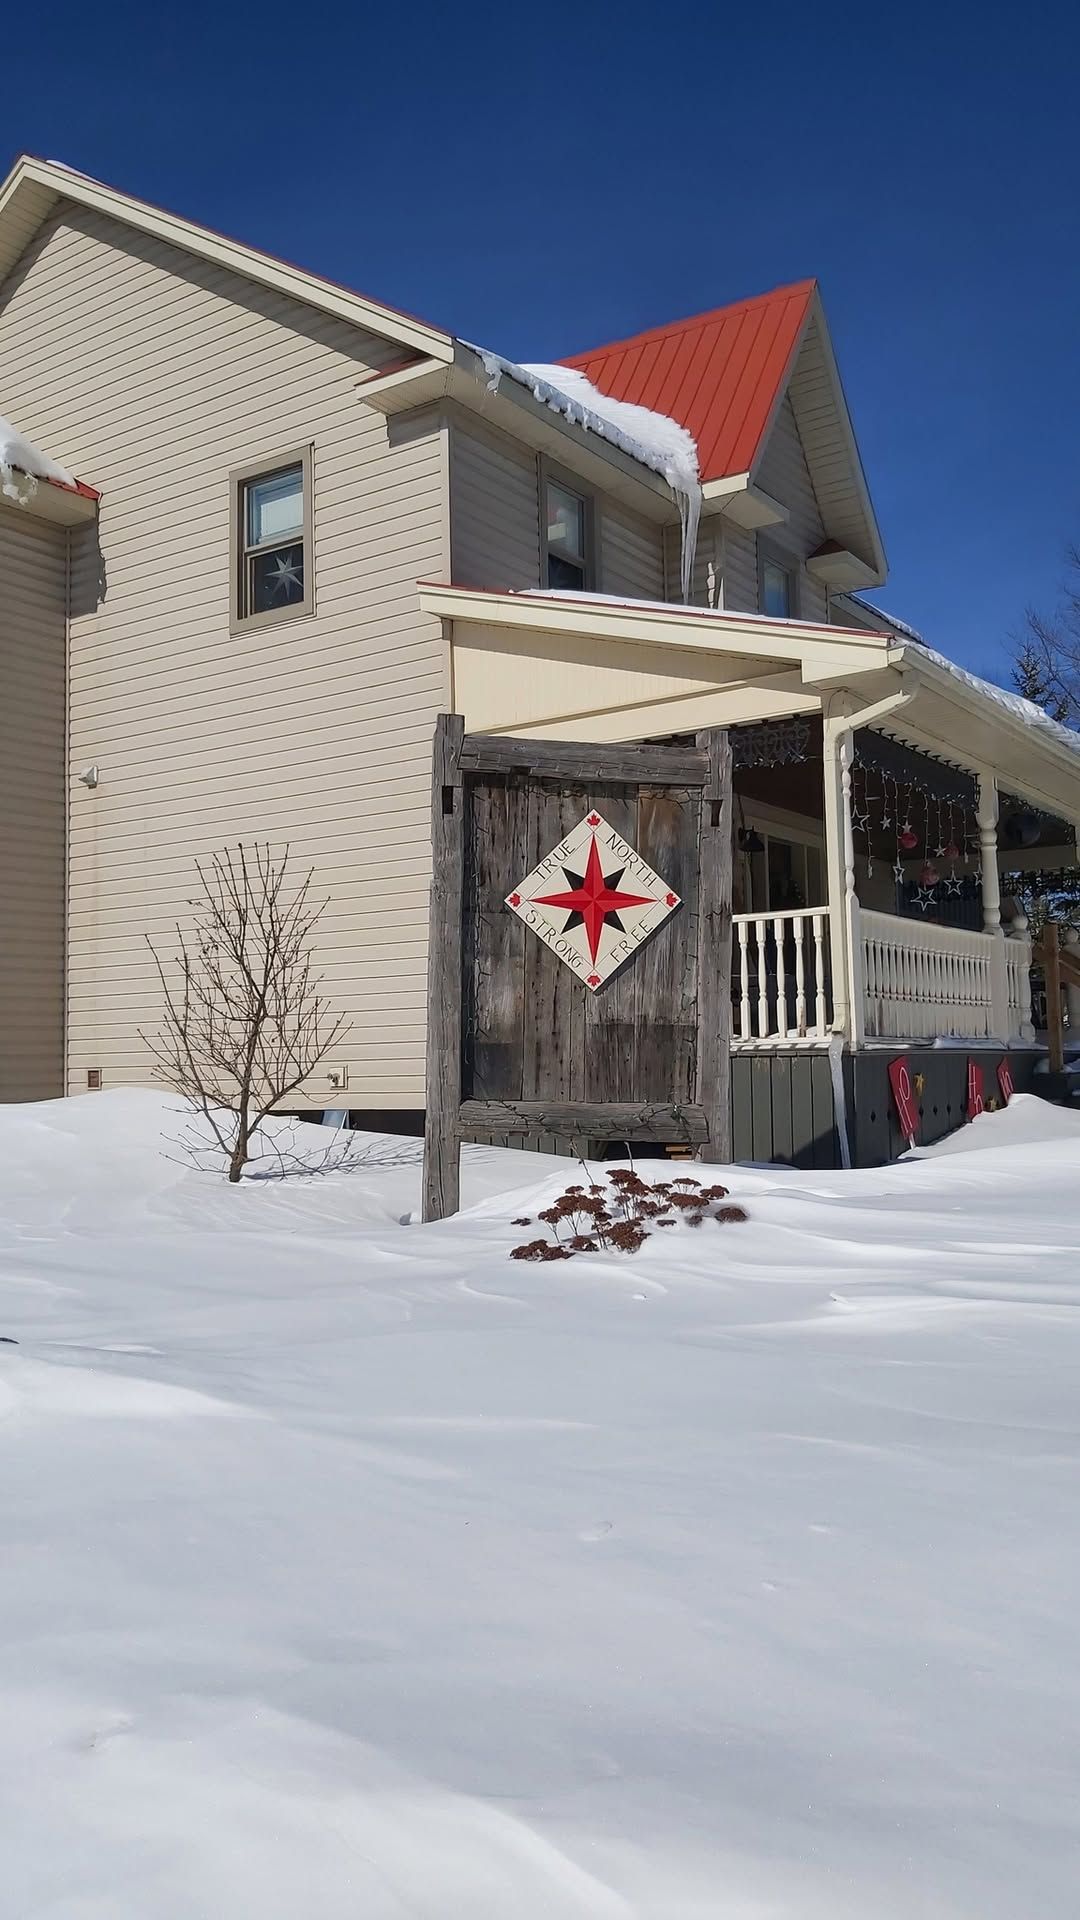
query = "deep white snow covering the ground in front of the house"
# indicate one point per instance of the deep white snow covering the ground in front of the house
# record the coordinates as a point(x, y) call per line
point(356, 1572)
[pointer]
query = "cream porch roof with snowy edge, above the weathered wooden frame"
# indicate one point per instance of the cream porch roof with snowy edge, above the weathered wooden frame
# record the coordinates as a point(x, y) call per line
point(606, 667)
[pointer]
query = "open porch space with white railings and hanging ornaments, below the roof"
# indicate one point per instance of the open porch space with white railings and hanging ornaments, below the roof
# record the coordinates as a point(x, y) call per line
point(929, 955)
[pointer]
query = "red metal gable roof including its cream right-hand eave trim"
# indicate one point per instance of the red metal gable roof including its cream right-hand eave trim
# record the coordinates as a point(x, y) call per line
point(724, 377)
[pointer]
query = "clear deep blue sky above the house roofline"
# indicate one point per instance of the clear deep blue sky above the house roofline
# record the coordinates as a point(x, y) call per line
point(551, 183)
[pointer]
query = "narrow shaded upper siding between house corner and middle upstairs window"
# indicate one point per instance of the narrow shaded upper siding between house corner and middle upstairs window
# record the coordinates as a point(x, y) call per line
point(495, 510)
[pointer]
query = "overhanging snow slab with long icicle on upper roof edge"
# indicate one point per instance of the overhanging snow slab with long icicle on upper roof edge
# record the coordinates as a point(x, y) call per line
point(647, 437)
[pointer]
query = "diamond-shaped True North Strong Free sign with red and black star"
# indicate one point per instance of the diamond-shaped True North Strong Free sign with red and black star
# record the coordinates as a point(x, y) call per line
point(593, 901)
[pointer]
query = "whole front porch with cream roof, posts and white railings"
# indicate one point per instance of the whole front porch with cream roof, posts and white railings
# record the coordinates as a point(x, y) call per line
point(883, 802)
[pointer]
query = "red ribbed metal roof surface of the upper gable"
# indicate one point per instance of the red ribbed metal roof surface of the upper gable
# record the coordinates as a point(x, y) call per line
point(718, 373)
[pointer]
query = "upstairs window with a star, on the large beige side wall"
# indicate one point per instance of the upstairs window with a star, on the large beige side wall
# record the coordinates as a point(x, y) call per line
point(272, 514)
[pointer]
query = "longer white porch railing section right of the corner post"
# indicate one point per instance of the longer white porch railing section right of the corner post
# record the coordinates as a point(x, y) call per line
point(929, 982)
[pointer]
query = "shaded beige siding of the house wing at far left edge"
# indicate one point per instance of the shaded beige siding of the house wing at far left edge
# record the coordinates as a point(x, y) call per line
point(34, 587)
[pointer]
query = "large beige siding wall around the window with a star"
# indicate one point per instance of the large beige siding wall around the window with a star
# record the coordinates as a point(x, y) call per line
point(157, 375)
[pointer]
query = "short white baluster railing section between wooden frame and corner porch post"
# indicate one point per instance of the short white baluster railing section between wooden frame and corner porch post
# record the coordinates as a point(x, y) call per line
point(781, 976)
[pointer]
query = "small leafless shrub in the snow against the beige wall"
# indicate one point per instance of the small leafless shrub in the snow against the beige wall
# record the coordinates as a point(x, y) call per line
point(245, 1019)
